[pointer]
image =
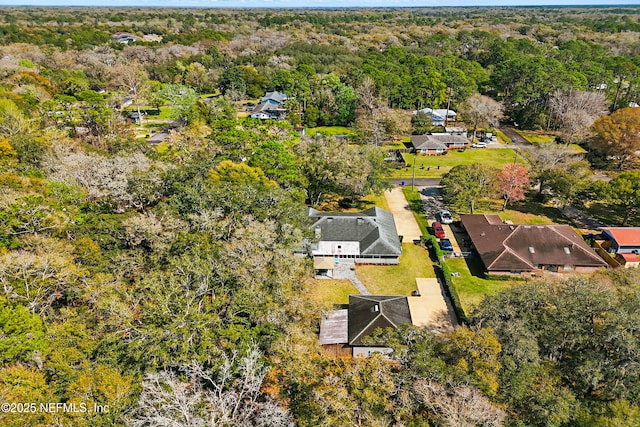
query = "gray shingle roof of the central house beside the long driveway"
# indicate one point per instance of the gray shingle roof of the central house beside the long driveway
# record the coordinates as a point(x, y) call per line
point(374, 228)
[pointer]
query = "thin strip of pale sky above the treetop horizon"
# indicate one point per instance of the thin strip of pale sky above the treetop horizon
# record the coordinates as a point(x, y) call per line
point(307, 3)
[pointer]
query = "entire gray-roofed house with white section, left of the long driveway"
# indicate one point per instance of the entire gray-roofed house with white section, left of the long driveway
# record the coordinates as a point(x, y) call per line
point(367, 237)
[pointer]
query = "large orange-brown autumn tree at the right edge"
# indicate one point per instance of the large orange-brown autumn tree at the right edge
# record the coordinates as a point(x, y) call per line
point(618, 136)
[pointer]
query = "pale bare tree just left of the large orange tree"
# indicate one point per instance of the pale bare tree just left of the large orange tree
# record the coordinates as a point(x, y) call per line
point(575, 111)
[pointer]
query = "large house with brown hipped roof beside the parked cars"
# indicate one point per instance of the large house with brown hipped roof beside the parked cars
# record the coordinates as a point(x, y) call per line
point(512, 249)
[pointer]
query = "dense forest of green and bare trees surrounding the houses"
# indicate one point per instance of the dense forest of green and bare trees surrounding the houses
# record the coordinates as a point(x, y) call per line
point(147, 284)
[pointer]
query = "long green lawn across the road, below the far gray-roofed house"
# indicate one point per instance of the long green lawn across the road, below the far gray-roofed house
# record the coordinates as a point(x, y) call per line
point(437, 166)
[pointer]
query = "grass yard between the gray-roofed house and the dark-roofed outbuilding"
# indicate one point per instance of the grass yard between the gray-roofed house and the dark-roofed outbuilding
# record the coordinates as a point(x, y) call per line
point(397, 279)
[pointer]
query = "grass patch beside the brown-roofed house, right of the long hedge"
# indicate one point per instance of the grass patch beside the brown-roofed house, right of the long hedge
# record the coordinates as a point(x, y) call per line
point(471, 288)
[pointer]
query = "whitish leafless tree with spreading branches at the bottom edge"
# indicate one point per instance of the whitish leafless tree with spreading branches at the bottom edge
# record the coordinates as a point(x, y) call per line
point(230, 397)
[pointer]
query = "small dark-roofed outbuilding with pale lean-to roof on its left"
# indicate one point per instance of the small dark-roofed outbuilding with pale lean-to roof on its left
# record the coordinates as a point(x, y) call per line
point(342, 332)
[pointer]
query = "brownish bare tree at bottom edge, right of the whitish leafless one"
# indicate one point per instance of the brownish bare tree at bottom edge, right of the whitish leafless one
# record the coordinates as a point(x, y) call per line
point(459, 406)
